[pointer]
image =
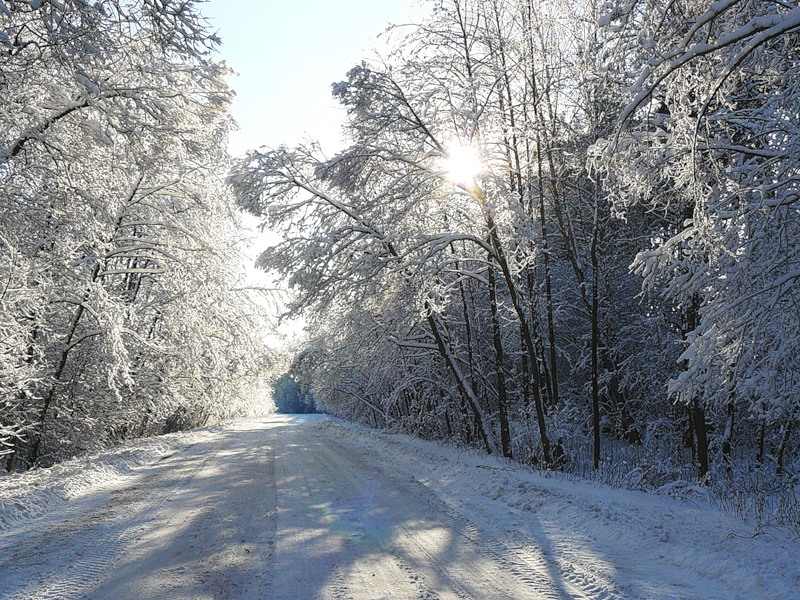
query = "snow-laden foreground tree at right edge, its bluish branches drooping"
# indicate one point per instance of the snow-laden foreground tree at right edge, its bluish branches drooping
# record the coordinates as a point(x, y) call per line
point(710, 141)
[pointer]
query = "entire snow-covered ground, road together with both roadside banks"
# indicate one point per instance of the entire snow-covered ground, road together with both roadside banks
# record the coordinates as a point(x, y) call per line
point(307, 507)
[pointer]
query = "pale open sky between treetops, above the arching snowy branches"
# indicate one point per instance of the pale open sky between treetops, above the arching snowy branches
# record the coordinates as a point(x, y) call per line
point(287, 54)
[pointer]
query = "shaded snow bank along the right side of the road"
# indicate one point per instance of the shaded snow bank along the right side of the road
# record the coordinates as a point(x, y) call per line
point(643, 542)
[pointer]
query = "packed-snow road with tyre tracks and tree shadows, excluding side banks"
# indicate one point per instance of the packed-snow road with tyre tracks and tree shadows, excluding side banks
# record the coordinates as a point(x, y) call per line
point(280, 509)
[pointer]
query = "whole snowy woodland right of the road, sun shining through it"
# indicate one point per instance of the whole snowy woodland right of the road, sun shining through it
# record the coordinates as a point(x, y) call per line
point(618, 276)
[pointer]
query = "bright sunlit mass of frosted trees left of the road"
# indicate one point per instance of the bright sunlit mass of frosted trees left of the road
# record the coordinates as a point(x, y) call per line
point(121, 307)
